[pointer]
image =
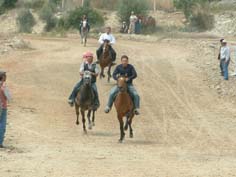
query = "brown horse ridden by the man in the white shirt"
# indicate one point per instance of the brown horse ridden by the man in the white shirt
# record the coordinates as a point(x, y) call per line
point(105, 61)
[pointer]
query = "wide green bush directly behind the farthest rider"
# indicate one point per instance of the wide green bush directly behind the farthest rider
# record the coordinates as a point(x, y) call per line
point(75, 16)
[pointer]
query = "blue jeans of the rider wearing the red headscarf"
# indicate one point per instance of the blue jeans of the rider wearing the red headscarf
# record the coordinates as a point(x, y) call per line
point(76, 89)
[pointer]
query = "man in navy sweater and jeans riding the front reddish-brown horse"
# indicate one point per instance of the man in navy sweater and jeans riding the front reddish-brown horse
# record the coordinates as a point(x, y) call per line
point(128, 70)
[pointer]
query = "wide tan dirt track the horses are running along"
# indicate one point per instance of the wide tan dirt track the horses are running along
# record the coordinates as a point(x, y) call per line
point(184, 128)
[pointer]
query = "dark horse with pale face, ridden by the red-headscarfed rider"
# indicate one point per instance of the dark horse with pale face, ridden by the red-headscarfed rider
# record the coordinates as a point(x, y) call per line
point(84, 101)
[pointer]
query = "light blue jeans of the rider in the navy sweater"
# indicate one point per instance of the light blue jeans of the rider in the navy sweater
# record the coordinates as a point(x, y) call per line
point(133, 93)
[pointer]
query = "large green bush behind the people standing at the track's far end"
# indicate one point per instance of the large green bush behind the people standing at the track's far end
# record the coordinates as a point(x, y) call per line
point(125, 7)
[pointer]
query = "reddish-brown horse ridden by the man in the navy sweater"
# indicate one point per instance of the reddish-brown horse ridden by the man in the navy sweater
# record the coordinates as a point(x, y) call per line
point(124, 107)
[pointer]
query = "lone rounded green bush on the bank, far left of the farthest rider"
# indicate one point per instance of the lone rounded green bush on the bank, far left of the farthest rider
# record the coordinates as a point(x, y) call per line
point(25, 21)
